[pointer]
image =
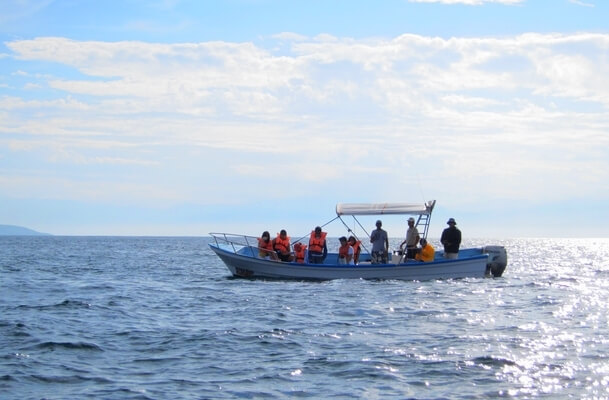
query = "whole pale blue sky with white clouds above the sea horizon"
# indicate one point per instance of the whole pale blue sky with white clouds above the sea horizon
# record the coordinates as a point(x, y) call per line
point(176, 117)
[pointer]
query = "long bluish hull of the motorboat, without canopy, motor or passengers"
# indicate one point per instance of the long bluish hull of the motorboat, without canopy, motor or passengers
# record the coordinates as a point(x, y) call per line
point(248, 266)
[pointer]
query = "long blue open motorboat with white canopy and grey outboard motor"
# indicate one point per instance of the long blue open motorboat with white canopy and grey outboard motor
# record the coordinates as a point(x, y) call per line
point(240, 254)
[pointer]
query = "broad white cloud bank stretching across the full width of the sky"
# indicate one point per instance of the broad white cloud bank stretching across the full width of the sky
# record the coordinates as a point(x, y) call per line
point(329, 111)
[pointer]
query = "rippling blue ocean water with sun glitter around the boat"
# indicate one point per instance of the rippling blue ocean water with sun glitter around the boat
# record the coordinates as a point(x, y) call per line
point(160, 318)
